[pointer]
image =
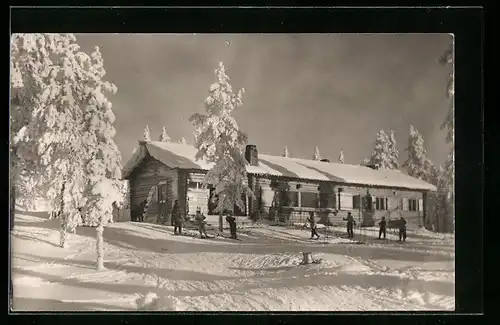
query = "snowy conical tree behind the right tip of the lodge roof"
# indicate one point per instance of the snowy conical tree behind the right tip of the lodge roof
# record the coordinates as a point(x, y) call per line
point(418, 164)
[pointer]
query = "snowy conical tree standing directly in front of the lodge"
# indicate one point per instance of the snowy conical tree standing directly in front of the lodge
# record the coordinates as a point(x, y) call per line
point(222, 143)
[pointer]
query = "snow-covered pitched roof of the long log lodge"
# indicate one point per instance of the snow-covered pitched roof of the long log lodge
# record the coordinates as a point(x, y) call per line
point(182, 156)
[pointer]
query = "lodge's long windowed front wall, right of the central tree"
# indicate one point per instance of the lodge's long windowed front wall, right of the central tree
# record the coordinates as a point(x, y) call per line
point(324, 197)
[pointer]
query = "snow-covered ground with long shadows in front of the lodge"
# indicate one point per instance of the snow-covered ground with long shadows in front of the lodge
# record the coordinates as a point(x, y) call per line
point(148, 268)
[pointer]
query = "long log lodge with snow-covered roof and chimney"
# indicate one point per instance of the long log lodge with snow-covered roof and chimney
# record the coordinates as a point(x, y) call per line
point(162, 172)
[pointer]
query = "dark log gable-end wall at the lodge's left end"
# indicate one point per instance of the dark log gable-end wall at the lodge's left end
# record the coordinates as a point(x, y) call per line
point(149, 173)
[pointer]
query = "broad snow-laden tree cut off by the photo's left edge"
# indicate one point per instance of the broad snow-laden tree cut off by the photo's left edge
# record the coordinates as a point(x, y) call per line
point(47, 117)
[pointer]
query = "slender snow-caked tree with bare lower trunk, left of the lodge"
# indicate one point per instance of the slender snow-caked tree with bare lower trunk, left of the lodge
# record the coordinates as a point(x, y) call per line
point(103, 164)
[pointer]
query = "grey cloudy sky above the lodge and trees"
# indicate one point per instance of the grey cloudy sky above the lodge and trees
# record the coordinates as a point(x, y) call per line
point(334, 91)
